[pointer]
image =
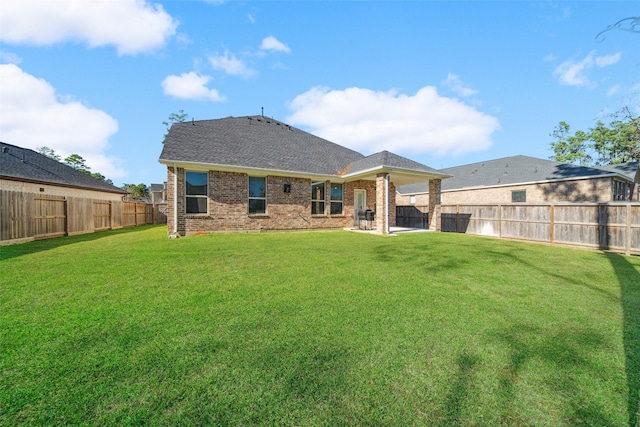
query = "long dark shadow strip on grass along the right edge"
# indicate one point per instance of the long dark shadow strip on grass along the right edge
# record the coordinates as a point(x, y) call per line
point(629, 280)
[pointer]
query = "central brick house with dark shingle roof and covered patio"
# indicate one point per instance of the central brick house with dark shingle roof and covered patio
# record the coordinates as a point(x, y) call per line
point(252, 173)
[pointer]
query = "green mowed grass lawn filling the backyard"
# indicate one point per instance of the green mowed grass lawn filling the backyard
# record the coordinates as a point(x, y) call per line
point(334, 328)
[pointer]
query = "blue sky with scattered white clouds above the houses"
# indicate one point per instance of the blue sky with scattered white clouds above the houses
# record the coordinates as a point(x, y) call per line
point(442, 83)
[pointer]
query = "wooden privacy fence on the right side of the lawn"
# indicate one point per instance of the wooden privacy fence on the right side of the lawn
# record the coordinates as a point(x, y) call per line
point(610, 226)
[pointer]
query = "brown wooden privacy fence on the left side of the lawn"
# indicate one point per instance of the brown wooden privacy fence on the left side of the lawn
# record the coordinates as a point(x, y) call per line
point(29, 216)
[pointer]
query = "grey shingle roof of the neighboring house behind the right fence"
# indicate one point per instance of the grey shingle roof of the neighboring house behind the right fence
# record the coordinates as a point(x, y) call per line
point(518, 170)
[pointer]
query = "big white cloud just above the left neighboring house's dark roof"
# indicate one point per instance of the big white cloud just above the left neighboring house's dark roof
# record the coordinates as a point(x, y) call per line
point(33, 115)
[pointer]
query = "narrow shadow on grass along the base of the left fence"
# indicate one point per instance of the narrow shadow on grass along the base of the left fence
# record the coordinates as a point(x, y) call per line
point(20, 249)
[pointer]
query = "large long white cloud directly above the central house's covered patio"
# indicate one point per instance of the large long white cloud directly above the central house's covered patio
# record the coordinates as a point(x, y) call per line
point(370, 121)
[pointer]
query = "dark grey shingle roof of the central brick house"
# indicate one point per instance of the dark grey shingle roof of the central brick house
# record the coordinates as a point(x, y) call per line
point(262, 144)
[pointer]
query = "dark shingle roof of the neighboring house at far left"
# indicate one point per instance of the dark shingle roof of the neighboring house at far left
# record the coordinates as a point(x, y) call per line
point(22, 164)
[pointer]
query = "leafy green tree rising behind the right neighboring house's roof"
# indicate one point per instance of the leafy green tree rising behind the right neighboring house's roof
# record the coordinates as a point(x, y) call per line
point(618, 142)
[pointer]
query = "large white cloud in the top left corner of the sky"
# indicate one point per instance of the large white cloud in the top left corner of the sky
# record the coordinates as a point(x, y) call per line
point(132, 26)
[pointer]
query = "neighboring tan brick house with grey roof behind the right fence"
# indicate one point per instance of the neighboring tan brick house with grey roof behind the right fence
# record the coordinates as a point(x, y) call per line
point(528, 179)
